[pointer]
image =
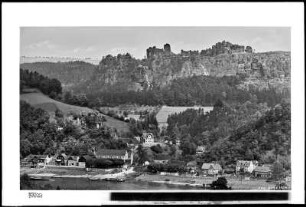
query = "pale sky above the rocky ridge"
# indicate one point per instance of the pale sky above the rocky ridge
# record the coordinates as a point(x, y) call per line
point(95, 42)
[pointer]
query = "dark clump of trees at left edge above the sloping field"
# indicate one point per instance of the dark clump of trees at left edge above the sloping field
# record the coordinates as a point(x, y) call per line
point(50, 87)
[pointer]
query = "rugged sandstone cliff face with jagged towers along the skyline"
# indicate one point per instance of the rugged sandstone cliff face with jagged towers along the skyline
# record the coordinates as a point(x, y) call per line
point(223, 59)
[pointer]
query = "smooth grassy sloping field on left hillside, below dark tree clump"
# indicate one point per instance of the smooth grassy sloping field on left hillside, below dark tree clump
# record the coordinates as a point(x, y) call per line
point(39, 100)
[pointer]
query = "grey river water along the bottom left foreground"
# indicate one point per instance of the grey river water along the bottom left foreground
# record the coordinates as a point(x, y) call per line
point(86, 184)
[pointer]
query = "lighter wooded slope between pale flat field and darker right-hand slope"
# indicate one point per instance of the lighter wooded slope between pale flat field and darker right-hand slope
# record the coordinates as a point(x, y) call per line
point(194, 127)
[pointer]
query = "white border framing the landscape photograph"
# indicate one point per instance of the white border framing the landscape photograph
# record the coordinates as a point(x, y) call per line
point(16, 15)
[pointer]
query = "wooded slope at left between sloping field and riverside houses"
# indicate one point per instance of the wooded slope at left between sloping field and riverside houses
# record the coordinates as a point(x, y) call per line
point(39, 136)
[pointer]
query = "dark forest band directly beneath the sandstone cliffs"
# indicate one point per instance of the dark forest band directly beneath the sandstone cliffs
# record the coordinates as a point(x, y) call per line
point(197, 90)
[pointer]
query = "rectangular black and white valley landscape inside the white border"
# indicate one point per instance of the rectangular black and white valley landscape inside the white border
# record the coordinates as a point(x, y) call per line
point(159, 108)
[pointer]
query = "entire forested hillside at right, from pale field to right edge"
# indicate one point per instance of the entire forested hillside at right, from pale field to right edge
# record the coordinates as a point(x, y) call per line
point(248, 131)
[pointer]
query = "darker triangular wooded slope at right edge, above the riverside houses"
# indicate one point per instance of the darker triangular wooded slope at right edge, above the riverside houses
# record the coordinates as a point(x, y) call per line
point(266, 140)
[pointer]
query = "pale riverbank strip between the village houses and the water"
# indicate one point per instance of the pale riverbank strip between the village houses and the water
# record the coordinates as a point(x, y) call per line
point(142, 179)
